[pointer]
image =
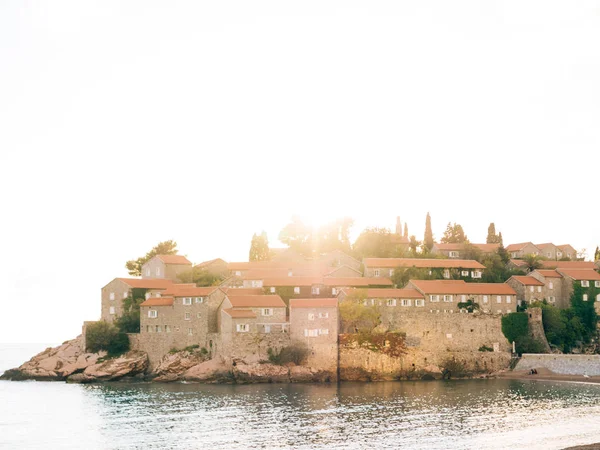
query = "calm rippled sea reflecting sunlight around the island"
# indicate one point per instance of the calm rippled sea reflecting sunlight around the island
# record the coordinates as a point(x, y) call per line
point(471, 414)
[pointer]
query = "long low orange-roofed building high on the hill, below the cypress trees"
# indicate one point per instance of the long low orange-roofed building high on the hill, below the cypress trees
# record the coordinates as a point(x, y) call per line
point(452, 268)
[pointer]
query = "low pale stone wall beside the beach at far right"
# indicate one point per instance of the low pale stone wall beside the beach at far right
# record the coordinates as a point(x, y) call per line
point(562, 364)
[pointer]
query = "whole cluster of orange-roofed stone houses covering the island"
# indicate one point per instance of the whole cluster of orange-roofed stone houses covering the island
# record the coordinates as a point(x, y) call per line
point(291, 300)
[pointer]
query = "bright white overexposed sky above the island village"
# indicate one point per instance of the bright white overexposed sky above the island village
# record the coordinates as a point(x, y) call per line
point(126, 123)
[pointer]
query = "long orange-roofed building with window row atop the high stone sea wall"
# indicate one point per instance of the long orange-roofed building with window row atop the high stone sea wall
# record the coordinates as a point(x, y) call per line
point(443, 296)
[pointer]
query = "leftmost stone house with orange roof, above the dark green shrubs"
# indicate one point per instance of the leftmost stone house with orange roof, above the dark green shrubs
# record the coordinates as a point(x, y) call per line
point(120, 288)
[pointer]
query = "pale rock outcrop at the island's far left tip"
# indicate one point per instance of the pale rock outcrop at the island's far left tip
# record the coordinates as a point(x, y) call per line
point(55, 364)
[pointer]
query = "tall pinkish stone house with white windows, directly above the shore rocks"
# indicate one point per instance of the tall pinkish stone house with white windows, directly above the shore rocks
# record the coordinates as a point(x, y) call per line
point(314, 324)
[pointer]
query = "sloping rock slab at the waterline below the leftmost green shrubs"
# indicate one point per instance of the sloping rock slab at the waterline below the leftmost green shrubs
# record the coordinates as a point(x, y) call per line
point(127, 365)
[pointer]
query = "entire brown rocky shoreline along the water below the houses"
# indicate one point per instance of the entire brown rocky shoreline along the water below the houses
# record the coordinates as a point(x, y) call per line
point(69, 362)
